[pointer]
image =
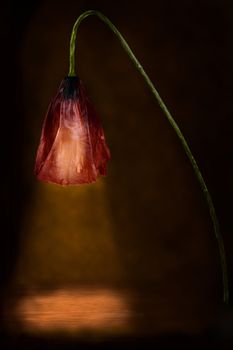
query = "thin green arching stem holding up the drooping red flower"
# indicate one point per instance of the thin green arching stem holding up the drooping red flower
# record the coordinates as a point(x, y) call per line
point(171, 121)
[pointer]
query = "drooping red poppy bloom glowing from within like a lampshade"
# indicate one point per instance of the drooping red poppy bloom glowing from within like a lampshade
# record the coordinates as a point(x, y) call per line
point(72, 147)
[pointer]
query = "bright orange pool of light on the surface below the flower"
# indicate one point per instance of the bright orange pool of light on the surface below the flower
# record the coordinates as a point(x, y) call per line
point(77, 310)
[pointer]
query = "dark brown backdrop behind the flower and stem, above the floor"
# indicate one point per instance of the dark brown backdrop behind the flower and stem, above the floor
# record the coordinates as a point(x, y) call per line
point(151, 207)
